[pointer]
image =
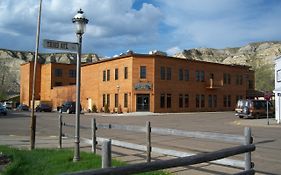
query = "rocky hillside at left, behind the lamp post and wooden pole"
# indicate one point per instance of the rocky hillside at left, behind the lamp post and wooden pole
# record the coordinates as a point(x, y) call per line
point(10, 62)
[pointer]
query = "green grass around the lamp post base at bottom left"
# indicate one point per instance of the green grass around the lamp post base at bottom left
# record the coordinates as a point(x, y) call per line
point(51, 161)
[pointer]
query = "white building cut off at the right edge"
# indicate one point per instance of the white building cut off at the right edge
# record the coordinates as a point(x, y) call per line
point(277, 89)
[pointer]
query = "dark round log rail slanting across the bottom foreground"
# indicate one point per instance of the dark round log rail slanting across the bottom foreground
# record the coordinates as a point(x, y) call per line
point(164, 164)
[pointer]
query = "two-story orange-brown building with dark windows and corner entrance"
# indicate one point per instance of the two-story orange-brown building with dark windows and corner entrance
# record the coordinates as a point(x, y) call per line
point(155, 83)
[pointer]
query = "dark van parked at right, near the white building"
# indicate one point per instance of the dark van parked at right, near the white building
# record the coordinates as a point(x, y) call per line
point(253, 108)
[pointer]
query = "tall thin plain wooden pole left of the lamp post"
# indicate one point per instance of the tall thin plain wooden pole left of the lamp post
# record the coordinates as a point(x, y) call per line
point(33, 117)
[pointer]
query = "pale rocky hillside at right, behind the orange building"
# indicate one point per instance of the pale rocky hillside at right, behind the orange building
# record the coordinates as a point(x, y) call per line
point(260, 56)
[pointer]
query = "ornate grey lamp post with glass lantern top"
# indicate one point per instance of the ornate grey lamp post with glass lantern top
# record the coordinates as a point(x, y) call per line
point(80, 21)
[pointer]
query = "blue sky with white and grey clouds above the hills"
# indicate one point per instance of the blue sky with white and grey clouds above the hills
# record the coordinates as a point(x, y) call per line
point(116, 26)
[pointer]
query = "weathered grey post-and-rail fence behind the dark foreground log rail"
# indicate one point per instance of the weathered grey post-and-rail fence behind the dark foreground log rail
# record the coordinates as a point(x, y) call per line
point(243, 140)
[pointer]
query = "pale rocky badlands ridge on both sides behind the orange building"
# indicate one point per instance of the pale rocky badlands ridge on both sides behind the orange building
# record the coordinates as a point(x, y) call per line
point(260, 56)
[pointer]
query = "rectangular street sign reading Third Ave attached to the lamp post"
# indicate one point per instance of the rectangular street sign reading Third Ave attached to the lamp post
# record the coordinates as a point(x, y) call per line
point(60, 45)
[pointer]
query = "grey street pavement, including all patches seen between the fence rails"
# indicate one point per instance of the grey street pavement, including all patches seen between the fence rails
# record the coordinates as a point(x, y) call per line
point(267, 137)
